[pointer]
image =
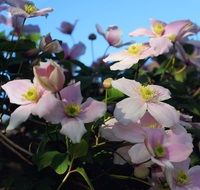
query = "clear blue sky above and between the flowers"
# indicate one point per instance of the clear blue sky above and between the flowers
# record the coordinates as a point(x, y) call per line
point(127, 14)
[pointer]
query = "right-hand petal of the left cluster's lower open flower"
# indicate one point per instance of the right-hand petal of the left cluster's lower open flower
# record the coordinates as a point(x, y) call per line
point(92, 110)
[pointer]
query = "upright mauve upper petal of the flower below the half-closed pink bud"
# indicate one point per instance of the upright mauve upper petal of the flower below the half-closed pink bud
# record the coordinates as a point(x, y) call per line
point(72, 93)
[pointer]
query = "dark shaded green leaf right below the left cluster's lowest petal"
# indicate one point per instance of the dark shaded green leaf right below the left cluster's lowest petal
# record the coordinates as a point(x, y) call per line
point(79, 149)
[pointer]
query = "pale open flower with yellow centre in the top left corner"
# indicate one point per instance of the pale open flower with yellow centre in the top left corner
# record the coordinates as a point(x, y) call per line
point(26, 9)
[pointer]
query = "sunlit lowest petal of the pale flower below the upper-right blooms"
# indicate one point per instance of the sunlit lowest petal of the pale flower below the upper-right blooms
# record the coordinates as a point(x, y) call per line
point(126, 63)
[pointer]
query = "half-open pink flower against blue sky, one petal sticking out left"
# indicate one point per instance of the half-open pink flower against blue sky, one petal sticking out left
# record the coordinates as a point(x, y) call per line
point(113, 35)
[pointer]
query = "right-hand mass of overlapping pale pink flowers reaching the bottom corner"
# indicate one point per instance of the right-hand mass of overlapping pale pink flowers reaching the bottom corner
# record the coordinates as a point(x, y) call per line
point(152, 133)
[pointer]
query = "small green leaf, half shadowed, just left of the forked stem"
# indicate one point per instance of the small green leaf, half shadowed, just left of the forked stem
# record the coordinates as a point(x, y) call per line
point(60, 163)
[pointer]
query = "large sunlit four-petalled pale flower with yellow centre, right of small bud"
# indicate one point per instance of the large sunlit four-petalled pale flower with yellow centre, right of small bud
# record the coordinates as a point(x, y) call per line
point(141, 99)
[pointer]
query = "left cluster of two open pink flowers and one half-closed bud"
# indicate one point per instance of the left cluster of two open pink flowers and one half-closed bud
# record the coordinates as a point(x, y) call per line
point(47, 98)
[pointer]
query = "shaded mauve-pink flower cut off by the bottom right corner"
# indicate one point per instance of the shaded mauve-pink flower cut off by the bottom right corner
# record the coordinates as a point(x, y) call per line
point(185, 178)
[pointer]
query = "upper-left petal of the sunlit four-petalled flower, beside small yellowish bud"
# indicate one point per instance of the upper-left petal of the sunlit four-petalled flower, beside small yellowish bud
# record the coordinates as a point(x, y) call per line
point(127, 86)
